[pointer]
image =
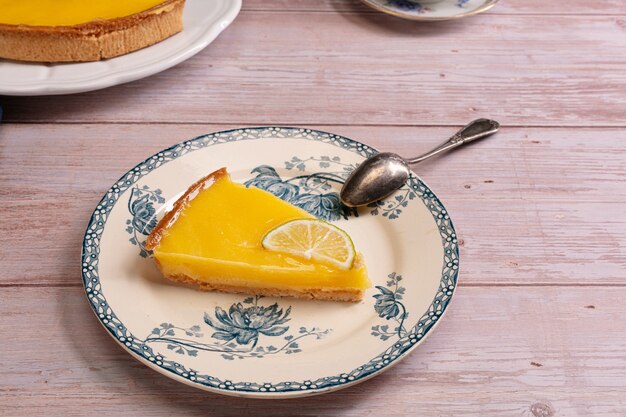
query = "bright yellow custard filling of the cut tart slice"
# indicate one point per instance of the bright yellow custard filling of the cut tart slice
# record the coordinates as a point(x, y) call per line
point(219, 234)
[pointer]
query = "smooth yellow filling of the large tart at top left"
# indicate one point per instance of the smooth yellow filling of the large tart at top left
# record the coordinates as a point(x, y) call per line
point(68, 12)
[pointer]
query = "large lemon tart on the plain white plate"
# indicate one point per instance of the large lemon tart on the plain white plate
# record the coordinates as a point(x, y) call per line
point(79, 30)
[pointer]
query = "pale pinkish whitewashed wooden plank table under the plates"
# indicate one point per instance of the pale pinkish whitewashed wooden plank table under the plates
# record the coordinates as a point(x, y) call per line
point(538, 326)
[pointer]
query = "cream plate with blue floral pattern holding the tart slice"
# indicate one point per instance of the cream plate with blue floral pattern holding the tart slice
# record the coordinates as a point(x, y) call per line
point(259, 346)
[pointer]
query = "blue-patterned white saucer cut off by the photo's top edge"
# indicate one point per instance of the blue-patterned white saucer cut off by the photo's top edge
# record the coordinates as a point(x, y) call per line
point(431, 9)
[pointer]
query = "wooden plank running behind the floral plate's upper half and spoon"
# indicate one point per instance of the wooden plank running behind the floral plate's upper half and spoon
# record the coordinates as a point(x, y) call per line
point(532, 206)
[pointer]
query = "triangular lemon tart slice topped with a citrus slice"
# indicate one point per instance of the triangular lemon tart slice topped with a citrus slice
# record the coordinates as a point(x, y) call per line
point(225, 237)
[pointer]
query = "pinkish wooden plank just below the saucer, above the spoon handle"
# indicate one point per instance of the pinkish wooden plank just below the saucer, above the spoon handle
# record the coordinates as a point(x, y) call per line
point(537, 70)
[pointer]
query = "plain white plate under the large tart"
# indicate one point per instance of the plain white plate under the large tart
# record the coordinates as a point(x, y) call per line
point(203, 20)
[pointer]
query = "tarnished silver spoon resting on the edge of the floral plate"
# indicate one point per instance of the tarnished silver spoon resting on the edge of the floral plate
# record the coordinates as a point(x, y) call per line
point(383, 173)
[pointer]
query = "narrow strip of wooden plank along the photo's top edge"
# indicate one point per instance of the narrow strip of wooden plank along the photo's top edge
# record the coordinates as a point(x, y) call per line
point(535, 7)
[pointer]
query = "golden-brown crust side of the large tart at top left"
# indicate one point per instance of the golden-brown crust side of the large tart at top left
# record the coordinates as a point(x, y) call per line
point(92, 41)
